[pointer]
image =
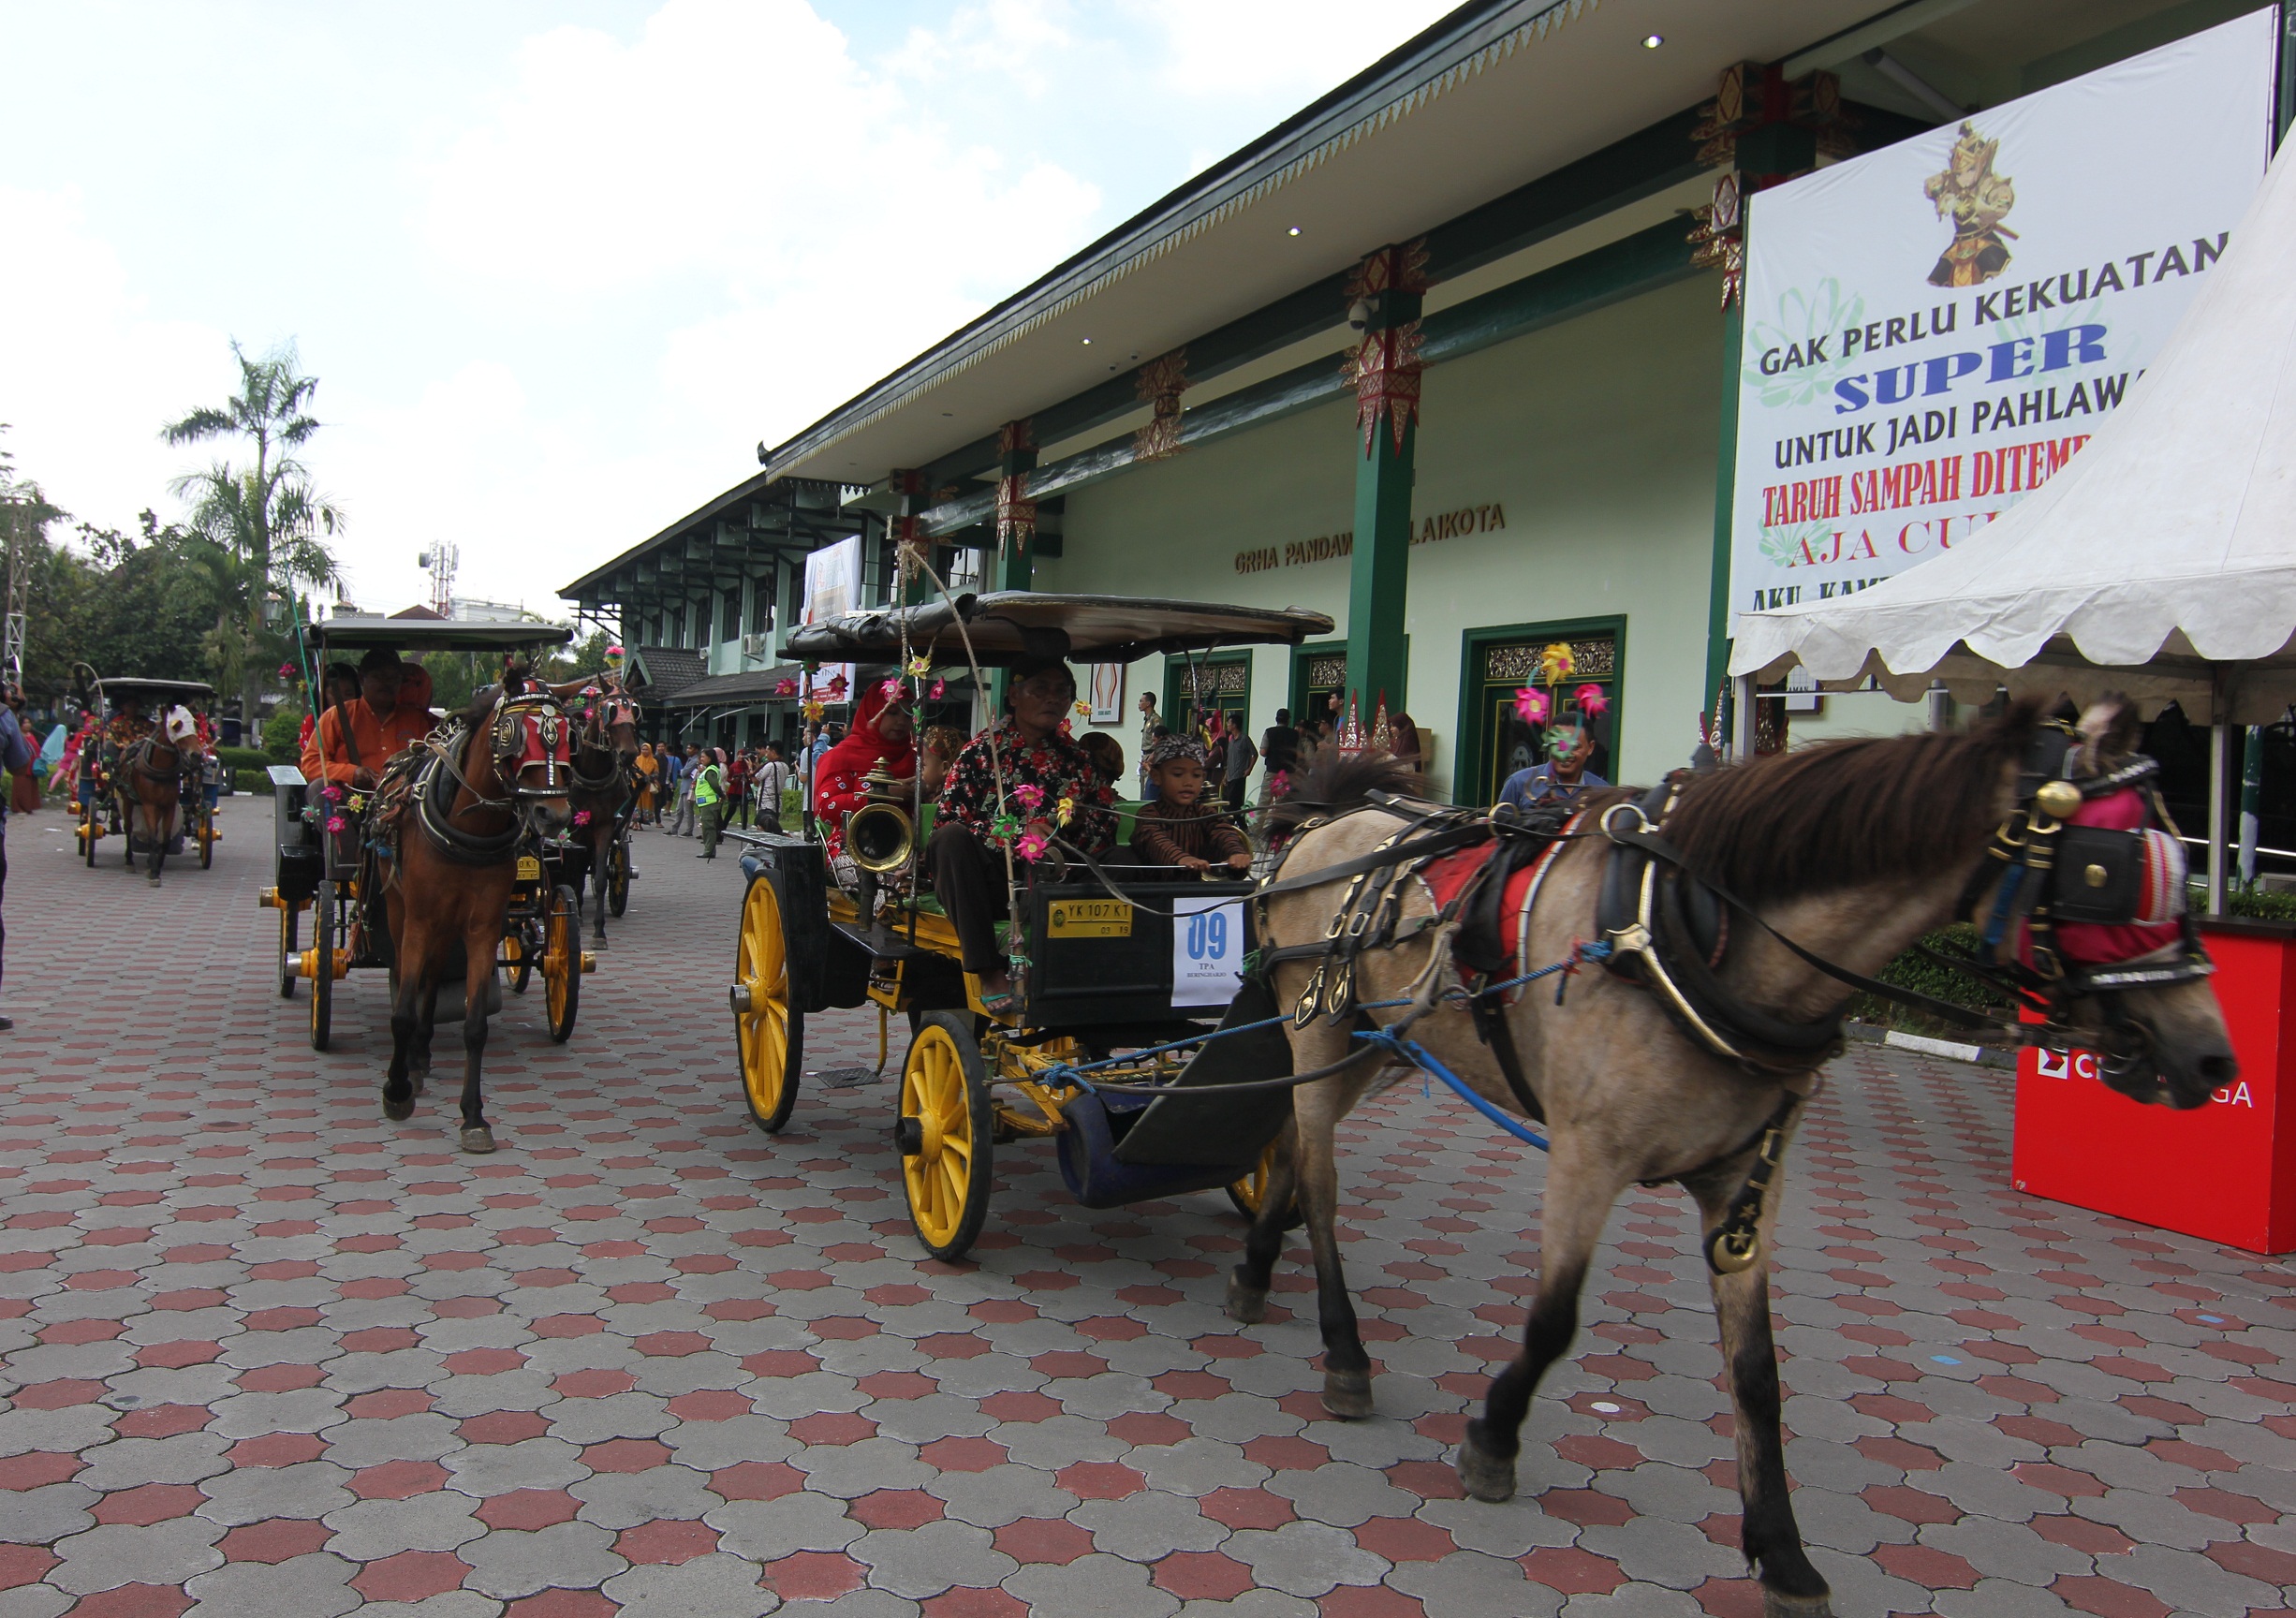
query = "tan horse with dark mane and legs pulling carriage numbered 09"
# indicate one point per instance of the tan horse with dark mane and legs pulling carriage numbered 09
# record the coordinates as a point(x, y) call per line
point(1852, 850)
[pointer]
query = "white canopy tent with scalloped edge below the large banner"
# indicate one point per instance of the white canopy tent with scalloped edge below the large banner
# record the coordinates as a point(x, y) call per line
point(2162, 561)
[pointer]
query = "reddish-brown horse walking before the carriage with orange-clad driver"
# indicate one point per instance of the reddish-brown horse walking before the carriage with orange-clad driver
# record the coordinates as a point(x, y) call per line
point(492, 786)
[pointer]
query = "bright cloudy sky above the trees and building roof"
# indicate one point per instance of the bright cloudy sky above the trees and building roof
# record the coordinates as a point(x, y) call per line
point(561, 267)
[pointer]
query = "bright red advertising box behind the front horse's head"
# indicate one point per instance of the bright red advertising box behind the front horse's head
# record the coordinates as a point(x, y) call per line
point(2224, 1172)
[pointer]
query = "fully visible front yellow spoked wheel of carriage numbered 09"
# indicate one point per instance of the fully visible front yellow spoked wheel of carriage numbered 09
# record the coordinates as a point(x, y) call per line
point(945, 1135)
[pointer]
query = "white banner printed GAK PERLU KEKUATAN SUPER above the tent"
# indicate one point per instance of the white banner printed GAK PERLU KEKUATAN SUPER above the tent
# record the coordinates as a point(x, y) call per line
point(1932, 332)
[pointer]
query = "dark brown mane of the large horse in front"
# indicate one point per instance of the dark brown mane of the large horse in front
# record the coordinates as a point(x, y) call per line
point(1849, 811)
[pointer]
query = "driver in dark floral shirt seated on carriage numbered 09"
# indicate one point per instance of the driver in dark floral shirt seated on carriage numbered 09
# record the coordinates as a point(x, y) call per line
point(1050, 791)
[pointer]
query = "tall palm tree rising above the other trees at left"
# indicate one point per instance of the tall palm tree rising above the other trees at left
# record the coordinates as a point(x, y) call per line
point(267, 515)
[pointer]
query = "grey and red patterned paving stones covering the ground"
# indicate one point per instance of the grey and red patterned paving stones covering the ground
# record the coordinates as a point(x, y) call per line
point(270, 1355)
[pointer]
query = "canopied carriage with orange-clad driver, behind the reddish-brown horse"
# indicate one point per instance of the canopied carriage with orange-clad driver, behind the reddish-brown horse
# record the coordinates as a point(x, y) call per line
point(323, 862)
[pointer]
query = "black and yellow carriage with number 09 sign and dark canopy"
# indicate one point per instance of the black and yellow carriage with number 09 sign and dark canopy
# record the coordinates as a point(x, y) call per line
point(1128, 965)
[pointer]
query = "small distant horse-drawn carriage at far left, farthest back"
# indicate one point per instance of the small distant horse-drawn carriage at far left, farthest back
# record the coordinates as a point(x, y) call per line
point(143, 784)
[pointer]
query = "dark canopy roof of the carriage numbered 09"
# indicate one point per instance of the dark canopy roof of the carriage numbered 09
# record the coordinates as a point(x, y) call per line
point(1011, 625)
